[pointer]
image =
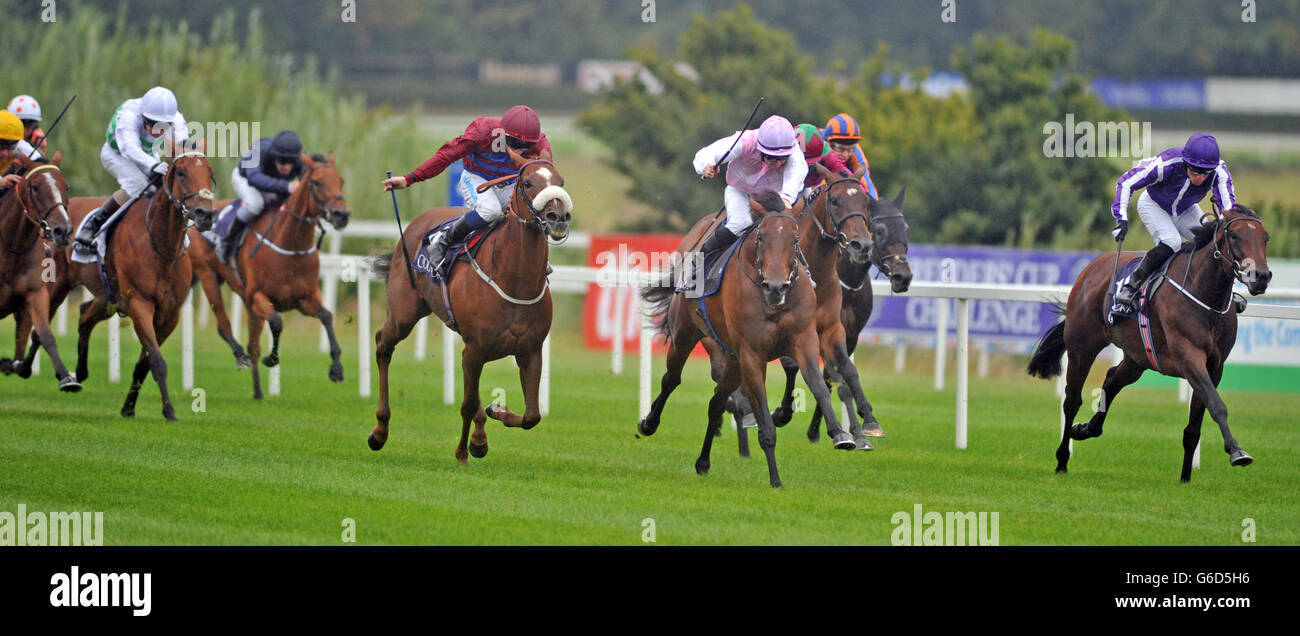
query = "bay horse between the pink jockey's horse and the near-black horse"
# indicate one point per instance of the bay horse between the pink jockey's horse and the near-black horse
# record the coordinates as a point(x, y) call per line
point(833, 226)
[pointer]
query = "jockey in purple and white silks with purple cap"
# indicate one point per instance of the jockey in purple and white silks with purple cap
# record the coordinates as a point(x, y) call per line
point(1176, 181)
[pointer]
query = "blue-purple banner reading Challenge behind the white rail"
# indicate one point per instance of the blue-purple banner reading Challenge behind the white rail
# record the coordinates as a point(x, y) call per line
point(1015, 323)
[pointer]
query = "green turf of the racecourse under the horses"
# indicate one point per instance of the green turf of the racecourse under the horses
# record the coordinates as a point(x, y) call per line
point(292, 469)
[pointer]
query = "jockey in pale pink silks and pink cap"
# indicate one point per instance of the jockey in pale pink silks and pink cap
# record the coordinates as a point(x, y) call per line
point(759, 162)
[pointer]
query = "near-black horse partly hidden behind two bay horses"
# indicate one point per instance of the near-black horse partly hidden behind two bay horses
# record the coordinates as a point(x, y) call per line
point(890, 257)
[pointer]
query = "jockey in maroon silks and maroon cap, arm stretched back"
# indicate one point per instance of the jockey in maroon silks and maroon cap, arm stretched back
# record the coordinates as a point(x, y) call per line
point(483, 152)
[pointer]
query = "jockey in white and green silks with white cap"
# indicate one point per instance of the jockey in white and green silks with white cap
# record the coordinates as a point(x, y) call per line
point(132, 144)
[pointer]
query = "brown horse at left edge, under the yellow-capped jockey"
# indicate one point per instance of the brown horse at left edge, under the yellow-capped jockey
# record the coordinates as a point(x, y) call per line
point(28, 214)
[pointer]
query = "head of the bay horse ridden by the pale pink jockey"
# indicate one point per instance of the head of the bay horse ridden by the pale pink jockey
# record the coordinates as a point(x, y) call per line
point(777, 248)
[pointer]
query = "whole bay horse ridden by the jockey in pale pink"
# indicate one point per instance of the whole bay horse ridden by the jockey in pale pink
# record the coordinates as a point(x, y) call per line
point(762, 311)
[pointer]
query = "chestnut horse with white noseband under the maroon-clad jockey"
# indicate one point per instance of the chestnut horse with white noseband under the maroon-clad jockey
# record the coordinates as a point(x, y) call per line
point(501, 302)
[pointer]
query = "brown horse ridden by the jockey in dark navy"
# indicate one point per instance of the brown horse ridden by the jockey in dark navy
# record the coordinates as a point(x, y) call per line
point(284, 272)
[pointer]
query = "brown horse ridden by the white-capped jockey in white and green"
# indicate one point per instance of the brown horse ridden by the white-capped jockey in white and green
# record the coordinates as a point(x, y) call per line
point(148, 269)
